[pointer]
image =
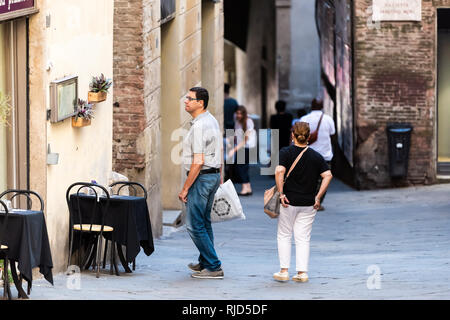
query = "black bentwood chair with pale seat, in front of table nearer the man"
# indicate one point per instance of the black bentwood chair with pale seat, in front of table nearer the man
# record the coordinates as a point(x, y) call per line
point(93, 228)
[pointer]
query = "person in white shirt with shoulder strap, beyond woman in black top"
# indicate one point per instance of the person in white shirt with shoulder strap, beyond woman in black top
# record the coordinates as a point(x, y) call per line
point(326, 129)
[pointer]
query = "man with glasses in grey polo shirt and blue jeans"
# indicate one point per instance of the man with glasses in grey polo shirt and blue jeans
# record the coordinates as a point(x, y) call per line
point(202, 157)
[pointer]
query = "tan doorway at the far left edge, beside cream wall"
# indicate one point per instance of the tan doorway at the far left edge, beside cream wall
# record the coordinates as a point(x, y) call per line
point(13, 92)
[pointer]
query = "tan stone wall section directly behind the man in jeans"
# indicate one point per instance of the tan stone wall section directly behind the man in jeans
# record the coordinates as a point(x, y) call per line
point(181, 63)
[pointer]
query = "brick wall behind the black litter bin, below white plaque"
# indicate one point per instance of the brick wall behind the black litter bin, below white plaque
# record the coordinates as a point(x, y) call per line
point(395, 81)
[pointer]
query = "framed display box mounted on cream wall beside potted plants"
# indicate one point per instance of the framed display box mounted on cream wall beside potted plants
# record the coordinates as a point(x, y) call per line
point(63, 98)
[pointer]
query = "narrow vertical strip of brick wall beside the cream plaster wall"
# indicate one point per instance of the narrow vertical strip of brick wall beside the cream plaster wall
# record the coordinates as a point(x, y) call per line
point(129, 117)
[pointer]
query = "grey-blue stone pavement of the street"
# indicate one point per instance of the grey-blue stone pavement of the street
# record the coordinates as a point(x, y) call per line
point(402, 234)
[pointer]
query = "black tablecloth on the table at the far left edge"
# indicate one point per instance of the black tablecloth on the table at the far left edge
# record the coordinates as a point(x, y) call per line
point(28, 243)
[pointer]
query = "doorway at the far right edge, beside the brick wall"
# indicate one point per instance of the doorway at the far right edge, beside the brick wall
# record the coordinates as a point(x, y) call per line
point(443, 91)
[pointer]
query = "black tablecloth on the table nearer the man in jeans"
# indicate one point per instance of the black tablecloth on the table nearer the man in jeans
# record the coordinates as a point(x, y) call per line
point(128, 215)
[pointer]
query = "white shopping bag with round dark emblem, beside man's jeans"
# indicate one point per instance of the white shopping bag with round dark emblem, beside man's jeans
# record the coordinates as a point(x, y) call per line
point(227, 205)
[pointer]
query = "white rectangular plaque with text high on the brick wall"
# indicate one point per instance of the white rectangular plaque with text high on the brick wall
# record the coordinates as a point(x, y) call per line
point(397, 10)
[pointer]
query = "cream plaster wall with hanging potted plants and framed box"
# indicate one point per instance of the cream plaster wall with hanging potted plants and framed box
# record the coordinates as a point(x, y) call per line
point(68, 39)
